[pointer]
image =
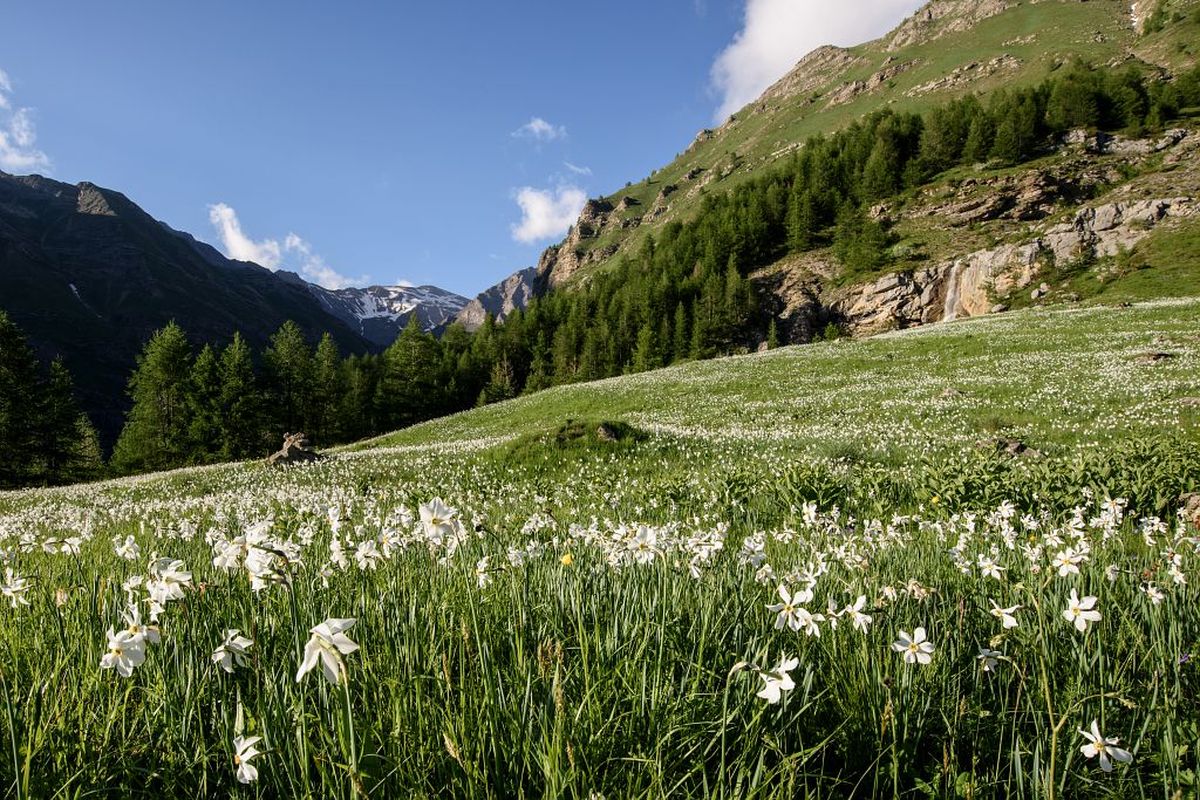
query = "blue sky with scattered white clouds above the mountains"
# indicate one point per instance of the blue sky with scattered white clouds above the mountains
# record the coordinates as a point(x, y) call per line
point(388, 142)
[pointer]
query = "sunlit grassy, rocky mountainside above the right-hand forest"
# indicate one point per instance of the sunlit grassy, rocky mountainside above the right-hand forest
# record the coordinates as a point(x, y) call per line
point(946, 50)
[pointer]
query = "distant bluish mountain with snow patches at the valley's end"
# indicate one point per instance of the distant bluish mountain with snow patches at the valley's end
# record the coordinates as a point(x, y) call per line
point(381, 314)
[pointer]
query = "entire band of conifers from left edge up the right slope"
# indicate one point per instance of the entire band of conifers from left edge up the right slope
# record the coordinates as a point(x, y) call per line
point(685, 294)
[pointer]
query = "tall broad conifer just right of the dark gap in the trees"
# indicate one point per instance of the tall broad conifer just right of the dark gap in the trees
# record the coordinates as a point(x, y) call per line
point(157, 430)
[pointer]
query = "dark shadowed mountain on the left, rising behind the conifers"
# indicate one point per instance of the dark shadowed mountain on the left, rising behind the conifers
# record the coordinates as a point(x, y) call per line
point(89, 276)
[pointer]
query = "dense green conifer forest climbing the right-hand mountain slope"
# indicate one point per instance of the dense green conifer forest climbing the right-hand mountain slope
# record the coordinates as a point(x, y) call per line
point(686, 293)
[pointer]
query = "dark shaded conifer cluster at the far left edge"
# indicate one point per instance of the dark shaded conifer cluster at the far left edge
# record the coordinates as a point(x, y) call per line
point(45, 438)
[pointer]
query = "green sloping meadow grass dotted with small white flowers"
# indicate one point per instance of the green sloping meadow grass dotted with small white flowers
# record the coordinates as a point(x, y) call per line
point(589, 633)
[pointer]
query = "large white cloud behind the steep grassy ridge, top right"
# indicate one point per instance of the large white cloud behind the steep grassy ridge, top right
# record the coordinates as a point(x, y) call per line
point(777, 34)
